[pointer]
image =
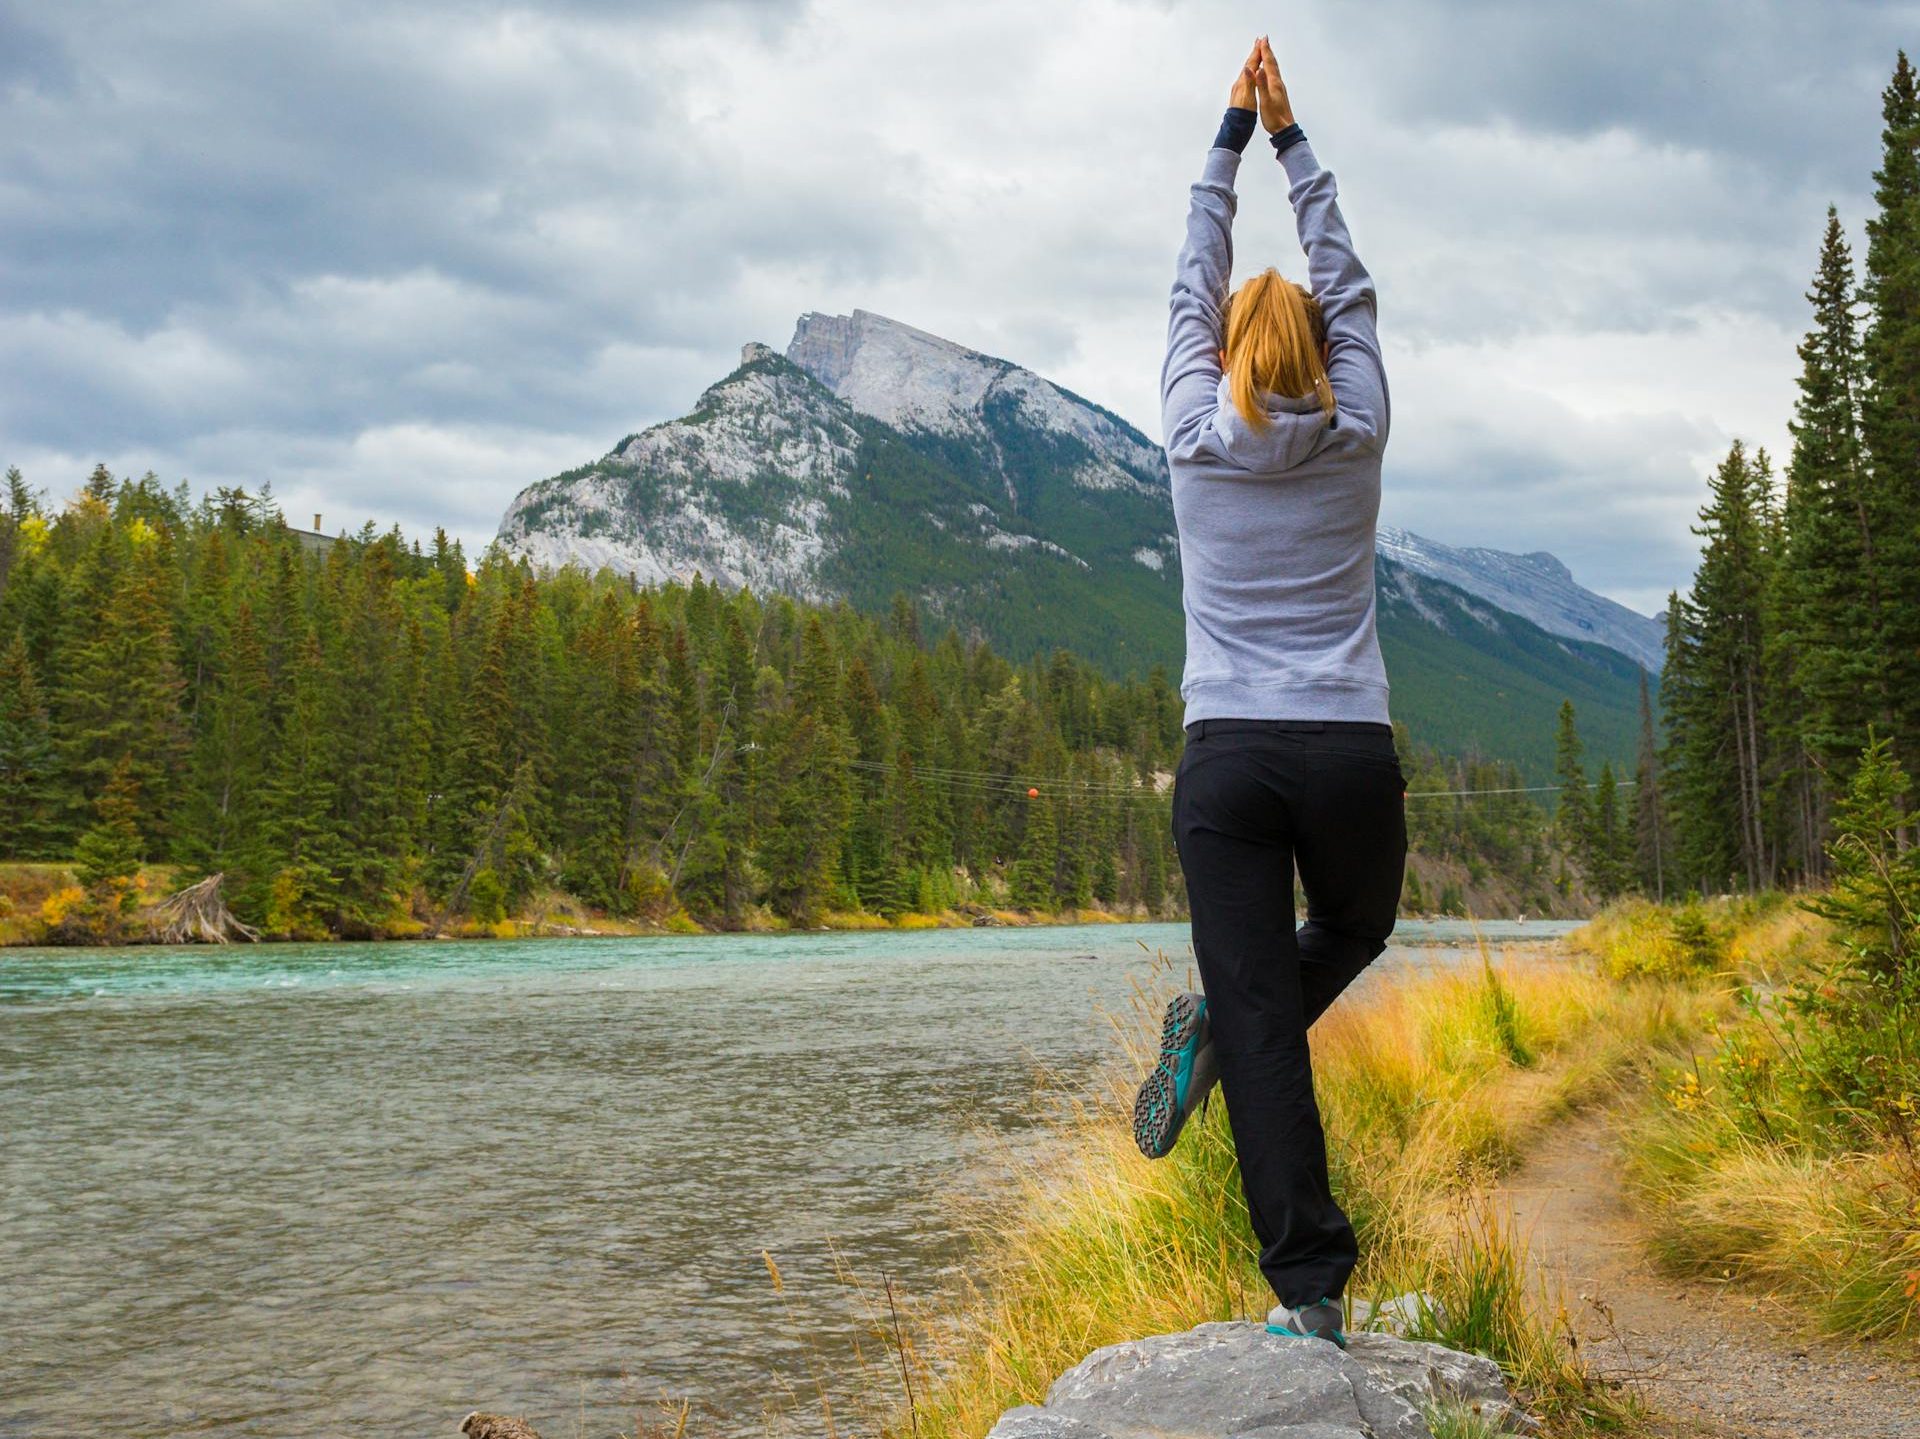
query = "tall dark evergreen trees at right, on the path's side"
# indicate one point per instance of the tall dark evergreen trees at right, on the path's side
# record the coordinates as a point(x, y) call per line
point(1798, 646)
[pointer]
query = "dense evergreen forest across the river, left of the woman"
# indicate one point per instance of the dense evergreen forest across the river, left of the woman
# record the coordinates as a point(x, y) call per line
point(368, 731)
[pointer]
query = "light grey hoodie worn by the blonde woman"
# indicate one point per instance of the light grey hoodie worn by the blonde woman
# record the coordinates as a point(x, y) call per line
point(1276, 525)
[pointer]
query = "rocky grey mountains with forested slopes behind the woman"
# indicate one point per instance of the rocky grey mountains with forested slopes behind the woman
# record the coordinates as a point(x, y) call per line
point(875, 458)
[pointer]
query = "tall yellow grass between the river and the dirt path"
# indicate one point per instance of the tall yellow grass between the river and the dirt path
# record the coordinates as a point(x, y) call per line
point(1429, 1086)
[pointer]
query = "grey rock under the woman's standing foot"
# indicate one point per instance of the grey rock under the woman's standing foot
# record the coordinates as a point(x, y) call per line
point(1241, 1382)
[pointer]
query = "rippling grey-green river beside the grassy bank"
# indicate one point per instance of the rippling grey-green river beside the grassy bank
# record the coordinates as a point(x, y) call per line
point(314, 1190)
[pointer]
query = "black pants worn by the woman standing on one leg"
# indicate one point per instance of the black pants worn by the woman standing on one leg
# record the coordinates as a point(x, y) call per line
point(1251, 802)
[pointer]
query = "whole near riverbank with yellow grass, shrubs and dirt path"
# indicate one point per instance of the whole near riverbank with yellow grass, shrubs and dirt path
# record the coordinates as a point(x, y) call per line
point(1662, 1067)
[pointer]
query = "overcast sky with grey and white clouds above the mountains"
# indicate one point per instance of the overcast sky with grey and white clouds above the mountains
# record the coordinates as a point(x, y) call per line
point(404, 258)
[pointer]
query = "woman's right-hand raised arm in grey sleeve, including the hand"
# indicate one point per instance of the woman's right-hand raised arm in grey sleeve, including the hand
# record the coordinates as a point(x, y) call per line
point(1339, 281)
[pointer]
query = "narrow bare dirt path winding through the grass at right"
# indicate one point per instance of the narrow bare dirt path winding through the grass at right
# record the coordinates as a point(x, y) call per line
point(1710, 1361)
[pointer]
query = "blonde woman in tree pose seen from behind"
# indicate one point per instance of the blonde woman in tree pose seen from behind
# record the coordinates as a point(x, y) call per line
point(1276, 418)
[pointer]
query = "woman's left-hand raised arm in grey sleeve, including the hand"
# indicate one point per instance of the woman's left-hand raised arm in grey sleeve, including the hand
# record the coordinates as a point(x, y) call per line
point(1189, 379)
